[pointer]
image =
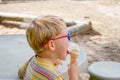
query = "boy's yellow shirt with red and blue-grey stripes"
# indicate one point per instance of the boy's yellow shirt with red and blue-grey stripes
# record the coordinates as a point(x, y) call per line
point(41, 70)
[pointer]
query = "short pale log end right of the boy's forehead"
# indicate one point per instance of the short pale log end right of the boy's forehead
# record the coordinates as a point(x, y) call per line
point(80, 28)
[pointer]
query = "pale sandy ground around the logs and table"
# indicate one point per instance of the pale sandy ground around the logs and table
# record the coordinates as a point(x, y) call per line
point(101, 44)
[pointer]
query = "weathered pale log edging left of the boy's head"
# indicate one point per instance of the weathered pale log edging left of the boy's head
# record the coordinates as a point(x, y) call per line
point(16, 20)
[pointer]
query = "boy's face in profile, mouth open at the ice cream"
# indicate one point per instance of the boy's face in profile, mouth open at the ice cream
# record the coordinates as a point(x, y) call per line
point(61, 45)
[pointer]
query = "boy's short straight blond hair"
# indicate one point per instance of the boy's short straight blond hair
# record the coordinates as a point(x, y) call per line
point(43, 29)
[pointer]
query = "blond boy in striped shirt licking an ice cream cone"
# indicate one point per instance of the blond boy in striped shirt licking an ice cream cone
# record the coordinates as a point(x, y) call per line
point(48, 37)
